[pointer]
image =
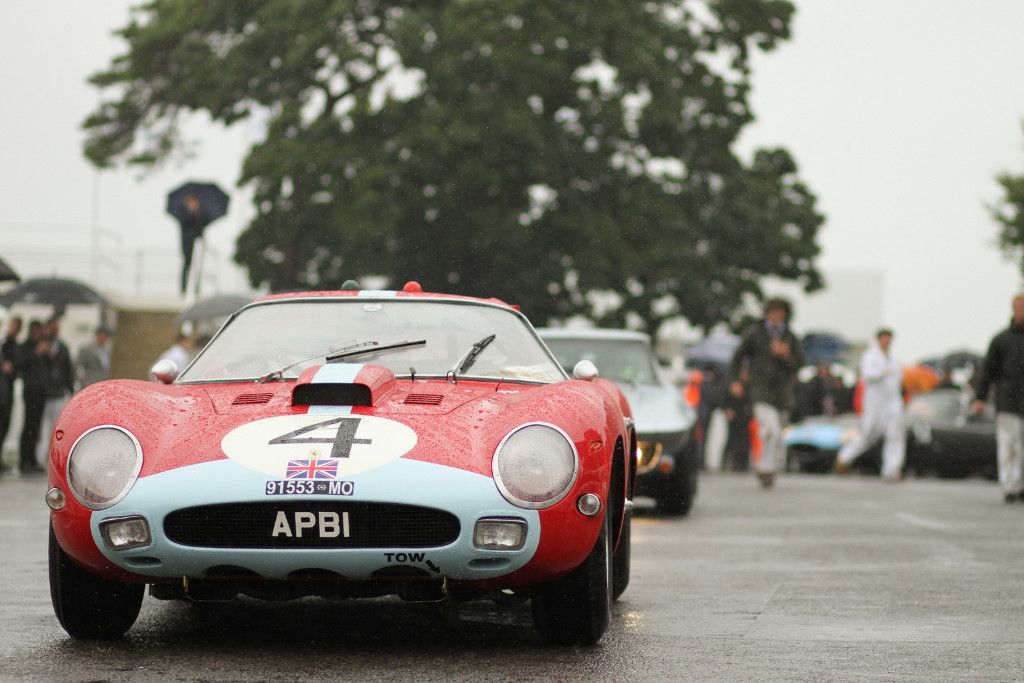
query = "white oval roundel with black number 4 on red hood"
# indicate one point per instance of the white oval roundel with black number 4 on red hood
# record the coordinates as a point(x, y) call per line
point(318, 447)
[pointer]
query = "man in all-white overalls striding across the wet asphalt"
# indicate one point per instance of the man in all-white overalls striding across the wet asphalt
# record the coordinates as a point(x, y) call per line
point(882, 416)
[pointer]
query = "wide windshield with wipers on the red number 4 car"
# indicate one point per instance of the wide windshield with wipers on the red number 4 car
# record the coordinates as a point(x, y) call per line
point(267, 337)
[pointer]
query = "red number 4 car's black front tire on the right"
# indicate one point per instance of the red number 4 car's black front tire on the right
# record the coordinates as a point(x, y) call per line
point(577, 609)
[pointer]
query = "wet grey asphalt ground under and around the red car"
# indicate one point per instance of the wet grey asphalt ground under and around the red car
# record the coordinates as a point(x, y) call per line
point(821, 579)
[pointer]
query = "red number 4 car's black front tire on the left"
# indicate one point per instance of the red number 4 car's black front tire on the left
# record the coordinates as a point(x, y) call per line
point(89, 607)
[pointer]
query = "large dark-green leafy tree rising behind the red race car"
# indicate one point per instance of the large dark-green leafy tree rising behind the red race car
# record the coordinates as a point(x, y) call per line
point(541, 152)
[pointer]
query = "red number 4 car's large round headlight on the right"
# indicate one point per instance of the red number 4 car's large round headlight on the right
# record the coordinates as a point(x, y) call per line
point(535, 466)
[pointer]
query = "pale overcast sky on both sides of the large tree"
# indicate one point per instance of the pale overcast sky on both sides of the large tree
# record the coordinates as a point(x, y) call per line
point(900, 113)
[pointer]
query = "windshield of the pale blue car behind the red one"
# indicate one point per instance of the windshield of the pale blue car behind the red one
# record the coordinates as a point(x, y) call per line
point(624, 361)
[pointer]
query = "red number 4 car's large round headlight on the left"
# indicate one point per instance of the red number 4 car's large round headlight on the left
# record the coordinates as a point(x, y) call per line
point(103, 466)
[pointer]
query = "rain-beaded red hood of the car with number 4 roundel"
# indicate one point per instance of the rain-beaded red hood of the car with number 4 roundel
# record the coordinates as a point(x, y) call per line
point(266, 426)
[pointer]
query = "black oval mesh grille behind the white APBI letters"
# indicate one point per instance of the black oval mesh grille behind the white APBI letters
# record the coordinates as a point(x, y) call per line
point(370, 526)
